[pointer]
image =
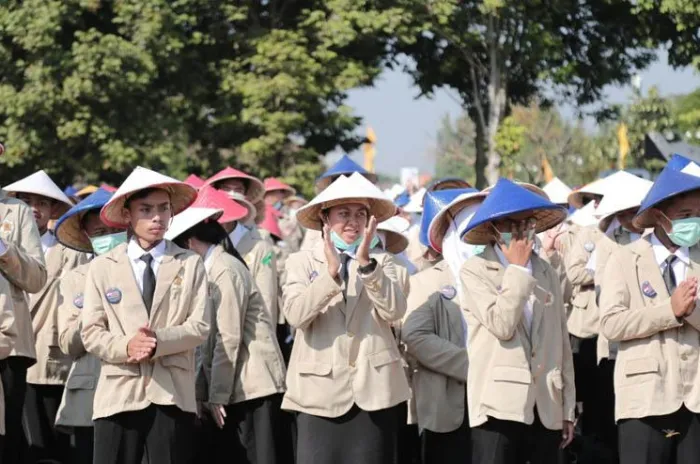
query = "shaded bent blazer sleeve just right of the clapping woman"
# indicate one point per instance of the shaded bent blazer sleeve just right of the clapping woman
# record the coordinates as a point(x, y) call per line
point(432, 352)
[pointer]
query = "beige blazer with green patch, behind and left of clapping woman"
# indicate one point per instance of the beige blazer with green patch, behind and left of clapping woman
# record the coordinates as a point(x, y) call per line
point(260, 256)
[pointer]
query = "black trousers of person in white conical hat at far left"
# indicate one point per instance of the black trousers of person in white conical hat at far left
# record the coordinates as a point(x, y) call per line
point(45, 442)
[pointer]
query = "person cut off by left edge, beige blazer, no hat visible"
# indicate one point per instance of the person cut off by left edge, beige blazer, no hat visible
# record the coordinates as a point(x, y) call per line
point(22, 264)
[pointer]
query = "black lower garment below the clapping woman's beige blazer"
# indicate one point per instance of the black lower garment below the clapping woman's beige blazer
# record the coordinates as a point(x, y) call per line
point(367, 437)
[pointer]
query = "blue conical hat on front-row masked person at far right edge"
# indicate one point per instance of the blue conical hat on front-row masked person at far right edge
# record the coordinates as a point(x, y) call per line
point(669, 184)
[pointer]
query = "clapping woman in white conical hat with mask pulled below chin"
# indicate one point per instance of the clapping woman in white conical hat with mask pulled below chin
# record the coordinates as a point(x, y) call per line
point(345, 378)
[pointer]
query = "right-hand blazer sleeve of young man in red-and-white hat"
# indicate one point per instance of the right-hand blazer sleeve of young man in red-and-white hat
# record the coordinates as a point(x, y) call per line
point(194, 330)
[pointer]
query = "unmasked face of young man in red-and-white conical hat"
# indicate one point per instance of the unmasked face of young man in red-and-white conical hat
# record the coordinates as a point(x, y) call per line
point(150, 216)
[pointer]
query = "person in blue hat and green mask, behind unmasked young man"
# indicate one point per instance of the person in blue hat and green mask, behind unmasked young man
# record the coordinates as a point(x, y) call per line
point(82, 230)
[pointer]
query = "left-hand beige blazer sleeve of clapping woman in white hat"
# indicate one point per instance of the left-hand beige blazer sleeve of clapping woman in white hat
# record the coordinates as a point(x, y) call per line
point(304, 301)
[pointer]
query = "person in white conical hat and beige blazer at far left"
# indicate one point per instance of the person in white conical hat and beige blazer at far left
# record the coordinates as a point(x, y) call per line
point(46, 378)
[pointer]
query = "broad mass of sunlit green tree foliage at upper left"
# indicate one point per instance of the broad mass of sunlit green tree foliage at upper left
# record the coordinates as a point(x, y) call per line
point(91, 88)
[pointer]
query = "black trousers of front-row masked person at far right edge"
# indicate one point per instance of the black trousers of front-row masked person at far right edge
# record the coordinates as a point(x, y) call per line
point(670, 439)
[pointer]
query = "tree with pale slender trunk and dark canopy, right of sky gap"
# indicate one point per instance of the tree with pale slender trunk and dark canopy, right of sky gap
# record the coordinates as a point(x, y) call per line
point(498, 53)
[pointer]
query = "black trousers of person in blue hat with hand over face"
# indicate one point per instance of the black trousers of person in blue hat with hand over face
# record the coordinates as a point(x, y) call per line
point(506, 442)
